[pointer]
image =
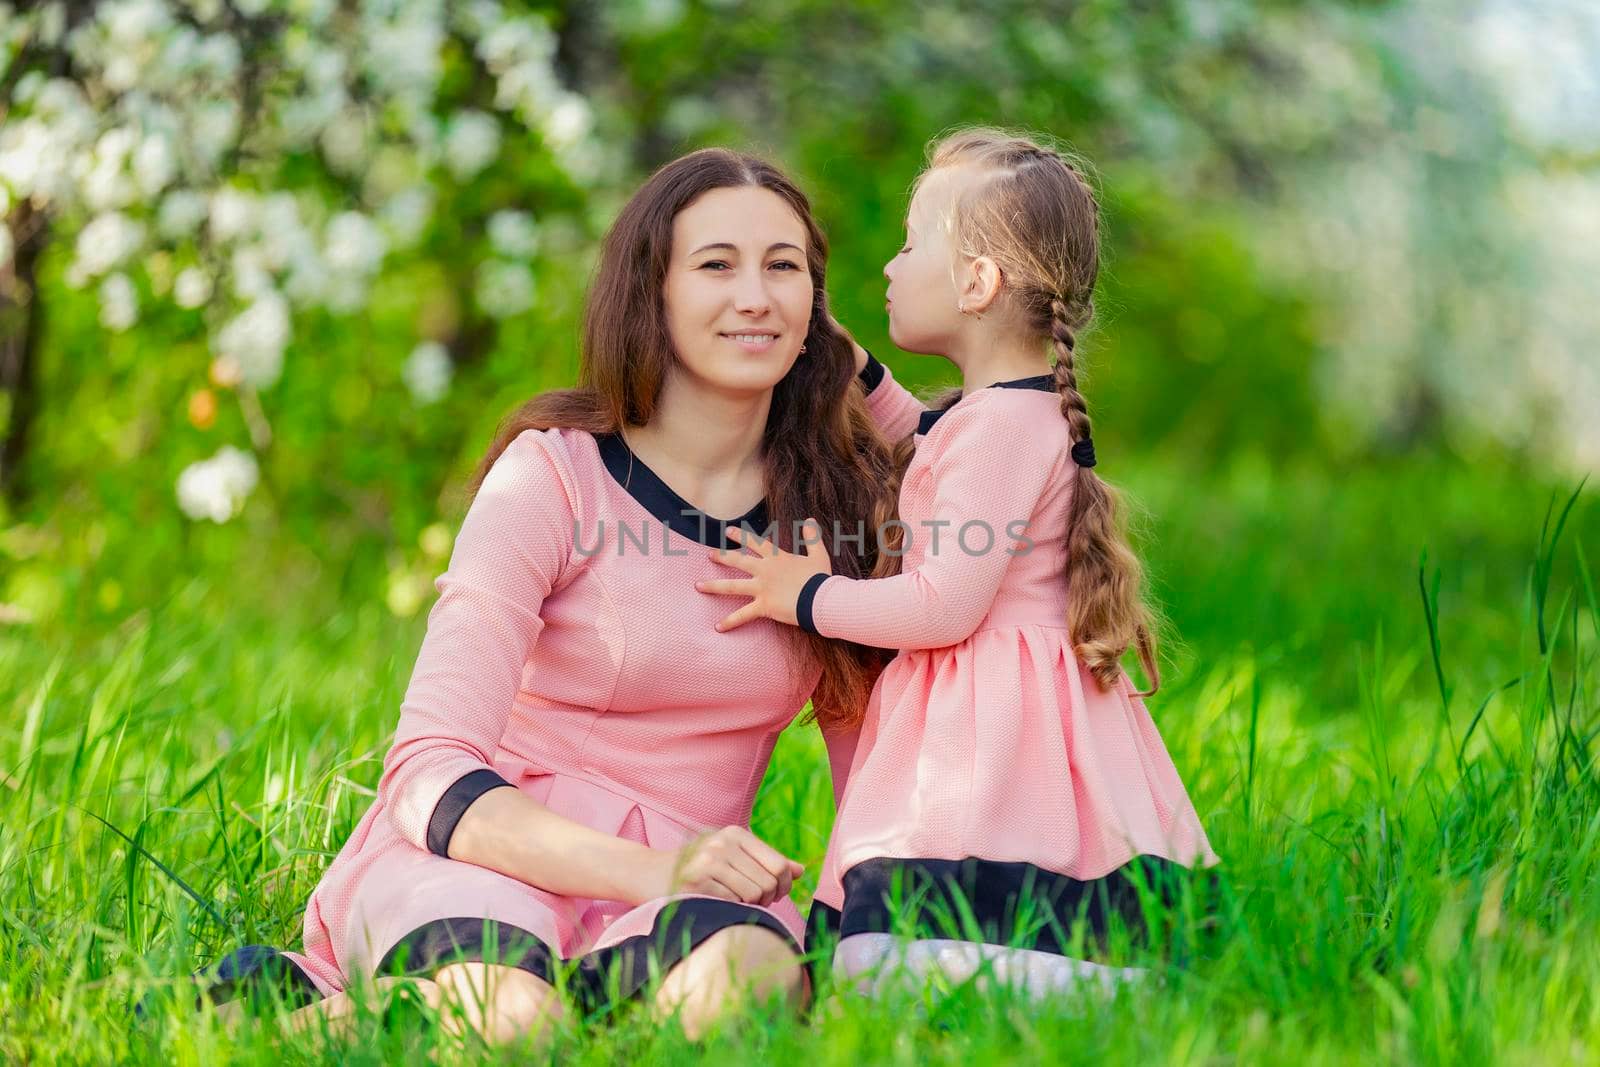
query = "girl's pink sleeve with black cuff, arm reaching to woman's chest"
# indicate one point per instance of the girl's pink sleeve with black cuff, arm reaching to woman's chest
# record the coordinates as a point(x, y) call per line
point(990, 471)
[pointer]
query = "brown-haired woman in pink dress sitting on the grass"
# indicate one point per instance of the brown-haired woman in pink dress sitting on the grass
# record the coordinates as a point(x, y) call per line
point(578, 749)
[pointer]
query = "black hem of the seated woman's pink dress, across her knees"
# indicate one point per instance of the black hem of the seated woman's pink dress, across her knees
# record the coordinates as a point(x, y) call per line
point(606, 977)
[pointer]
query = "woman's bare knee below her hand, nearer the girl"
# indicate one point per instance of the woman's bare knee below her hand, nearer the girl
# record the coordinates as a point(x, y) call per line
point(732, 967)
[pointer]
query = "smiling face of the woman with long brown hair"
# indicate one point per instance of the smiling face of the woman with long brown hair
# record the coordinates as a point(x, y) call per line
point(738, 290)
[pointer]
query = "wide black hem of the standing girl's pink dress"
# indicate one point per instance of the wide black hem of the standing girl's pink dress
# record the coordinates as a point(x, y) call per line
point(1006, 903)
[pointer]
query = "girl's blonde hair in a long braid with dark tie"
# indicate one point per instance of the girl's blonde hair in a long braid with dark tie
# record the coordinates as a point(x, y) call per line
point(1034, 214)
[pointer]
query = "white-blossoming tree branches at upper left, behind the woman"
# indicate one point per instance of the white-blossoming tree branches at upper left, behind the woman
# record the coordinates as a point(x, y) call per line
point(258, 164)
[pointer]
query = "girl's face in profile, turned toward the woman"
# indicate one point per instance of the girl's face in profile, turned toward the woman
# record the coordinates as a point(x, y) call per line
point(922, 294)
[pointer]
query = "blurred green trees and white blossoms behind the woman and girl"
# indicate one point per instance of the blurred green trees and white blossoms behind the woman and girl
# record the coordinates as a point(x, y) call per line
point(271, 273)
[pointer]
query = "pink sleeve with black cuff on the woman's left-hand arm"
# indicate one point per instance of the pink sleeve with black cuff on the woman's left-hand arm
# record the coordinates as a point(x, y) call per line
point(514, 546)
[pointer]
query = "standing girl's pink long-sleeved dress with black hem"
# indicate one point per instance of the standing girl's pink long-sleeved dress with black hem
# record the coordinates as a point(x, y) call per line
point(991, 762)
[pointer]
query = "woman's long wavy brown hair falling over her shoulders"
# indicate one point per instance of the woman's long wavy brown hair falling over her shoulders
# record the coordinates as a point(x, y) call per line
point(825, 458)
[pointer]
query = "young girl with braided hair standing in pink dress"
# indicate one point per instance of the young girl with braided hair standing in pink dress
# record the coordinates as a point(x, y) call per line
point(1009, 778)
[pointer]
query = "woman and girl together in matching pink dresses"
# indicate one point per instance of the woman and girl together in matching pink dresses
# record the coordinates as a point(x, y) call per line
point(737, 511)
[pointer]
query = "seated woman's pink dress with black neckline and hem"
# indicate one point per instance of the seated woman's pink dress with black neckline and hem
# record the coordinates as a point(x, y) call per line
point(569, 657)
